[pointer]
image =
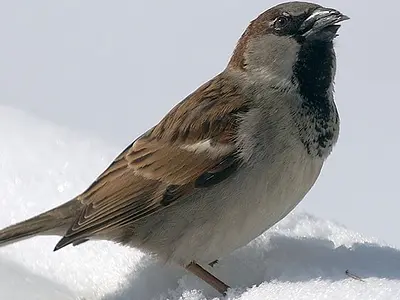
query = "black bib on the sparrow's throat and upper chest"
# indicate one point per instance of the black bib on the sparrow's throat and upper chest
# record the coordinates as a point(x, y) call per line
point(313, 72)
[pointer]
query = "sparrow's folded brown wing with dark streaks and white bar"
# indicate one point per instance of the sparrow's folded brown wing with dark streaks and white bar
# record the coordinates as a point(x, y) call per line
point(192, 147)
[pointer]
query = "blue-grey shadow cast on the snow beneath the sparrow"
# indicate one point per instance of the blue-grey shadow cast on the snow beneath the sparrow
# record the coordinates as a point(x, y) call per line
point(282, 259)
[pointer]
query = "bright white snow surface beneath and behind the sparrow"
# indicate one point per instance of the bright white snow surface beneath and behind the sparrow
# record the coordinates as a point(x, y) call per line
point(303, 257)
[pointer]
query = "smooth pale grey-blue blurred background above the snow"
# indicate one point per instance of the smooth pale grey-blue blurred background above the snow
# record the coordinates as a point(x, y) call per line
point(112, 69)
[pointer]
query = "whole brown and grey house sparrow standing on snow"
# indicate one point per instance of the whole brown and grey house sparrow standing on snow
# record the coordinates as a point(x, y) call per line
point(226, 163)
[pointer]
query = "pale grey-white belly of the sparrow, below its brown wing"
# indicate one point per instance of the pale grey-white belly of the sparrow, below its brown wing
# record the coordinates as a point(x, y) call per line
point(211, 225)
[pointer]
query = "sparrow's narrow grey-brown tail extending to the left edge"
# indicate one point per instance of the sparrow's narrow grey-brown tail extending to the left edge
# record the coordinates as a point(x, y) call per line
point(53, 222)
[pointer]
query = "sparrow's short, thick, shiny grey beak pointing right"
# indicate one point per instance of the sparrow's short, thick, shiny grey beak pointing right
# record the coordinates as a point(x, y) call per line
point(323, 23)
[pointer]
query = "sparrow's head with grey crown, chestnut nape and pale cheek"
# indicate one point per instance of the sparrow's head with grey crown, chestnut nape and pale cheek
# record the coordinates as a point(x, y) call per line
point(291, 43)
